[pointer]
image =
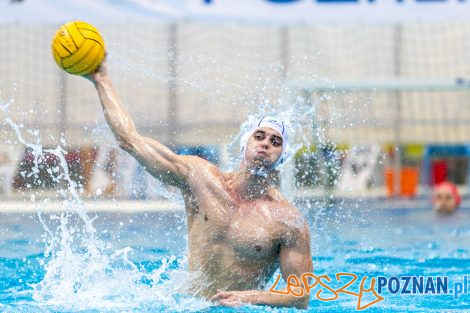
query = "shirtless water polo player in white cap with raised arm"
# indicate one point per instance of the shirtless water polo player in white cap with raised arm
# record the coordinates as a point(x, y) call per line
point(240, 227)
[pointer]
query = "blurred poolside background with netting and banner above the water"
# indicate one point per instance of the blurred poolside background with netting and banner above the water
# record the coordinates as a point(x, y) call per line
point(387, 84)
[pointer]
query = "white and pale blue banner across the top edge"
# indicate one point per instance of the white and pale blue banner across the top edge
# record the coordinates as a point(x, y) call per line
point(283, 11)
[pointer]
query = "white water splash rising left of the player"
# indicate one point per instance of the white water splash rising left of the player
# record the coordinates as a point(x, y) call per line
point(83, 272)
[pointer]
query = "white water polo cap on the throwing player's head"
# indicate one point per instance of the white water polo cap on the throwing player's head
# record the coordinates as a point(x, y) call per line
point(276, 124)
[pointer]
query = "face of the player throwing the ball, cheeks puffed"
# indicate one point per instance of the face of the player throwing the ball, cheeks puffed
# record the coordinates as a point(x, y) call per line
point(264, 147)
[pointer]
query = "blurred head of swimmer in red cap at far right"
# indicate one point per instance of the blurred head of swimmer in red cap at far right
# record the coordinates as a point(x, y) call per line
point(446, 198)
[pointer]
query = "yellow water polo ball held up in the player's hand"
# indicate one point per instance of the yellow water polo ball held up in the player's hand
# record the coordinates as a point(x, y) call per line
point(78, 48)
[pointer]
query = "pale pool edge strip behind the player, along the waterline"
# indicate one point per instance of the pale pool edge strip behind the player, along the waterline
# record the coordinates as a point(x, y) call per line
point(49, 202)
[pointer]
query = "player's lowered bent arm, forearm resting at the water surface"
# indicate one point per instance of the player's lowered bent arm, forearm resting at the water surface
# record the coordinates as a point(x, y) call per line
point(296, 259)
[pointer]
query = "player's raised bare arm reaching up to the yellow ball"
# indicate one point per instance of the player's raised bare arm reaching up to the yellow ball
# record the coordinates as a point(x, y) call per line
point(157, 159)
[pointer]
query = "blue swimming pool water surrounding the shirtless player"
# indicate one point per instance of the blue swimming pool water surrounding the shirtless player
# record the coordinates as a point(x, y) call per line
point(107, 276)
